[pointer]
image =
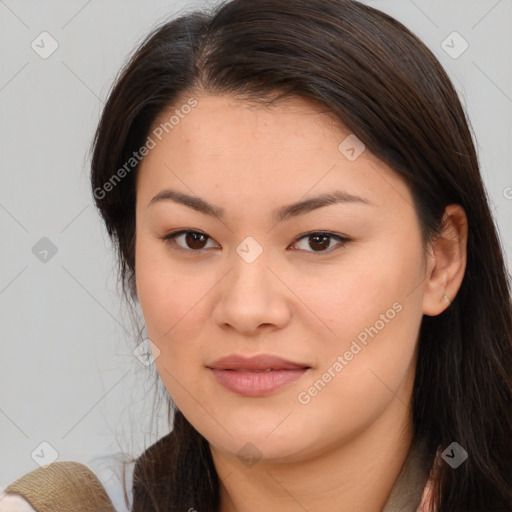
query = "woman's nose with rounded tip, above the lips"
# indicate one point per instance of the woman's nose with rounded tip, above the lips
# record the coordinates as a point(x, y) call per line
point(252, 298)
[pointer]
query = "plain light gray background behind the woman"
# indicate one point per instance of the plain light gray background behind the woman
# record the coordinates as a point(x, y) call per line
point(68, 375)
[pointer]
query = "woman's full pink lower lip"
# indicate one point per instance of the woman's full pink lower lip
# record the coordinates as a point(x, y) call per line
point(256, 383)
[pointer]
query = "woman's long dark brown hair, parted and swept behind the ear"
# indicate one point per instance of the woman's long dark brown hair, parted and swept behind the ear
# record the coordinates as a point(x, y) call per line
point(383, 83)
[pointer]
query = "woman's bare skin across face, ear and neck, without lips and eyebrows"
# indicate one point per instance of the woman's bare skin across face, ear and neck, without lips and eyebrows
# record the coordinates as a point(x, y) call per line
point(343, 450)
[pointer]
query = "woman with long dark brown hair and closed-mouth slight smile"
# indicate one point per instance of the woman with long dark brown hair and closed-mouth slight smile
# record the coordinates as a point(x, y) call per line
point(296, 202)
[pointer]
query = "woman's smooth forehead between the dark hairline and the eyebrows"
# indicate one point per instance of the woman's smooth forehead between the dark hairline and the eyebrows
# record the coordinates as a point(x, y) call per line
point(259, 152)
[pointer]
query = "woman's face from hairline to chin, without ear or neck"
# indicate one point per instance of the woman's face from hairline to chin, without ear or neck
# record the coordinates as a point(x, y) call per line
point(258, 278)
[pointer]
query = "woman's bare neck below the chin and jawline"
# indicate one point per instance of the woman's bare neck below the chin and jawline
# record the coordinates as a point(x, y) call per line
point(358, 474)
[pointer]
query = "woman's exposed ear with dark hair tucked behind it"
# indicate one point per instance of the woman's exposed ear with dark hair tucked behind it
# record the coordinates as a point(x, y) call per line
point(446, 261)
